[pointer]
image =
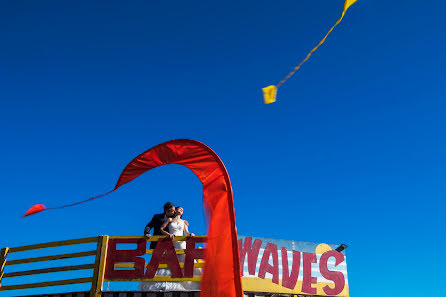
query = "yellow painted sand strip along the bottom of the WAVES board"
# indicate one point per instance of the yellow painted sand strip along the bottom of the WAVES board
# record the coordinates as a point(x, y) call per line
point(255, 284)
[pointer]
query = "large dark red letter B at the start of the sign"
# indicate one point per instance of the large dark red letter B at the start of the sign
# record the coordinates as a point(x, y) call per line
point(125, 256)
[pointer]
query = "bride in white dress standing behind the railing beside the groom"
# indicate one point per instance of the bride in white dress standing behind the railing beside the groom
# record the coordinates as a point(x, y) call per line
point(176, 227)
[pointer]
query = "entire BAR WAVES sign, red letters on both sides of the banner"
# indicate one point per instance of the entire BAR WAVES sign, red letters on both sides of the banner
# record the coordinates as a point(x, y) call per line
point(268, 265)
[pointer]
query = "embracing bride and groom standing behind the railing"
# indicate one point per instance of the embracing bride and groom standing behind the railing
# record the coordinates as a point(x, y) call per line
point(169, 223)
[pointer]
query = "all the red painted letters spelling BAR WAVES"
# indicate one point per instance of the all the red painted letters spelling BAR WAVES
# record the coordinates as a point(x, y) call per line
point(165, 253)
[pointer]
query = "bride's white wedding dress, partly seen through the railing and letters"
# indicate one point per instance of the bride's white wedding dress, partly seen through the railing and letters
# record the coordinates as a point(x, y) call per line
point(177, 229)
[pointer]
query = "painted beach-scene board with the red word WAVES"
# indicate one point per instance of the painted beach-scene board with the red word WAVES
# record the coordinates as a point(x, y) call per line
point(292, 267)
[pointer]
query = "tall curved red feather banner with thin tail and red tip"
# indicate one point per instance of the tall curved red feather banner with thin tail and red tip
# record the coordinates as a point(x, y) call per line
point(221, 275)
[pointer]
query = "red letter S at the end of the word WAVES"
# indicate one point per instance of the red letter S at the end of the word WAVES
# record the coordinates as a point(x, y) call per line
point(336, 276)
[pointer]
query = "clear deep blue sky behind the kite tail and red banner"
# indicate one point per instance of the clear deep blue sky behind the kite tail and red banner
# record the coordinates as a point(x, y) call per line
point(352, 152)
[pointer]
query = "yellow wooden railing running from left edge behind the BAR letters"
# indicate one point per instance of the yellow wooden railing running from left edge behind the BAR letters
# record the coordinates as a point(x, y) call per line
point(98, 277)
